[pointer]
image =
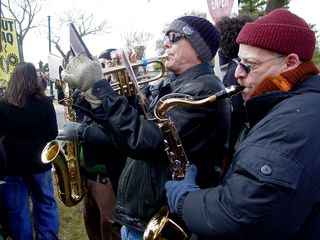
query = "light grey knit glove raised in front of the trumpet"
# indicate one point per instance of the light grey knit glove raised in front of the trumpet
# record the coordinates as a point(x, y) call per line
point(82, 73)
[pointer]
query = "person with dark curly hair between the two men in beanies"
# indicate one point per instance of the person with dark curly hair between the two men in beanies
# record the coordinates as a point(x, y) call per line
point(229, 28)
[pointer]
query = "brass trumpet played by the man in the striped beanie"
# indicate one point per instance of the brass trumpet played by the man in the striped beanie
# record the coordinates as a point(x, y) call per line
point(123, 85)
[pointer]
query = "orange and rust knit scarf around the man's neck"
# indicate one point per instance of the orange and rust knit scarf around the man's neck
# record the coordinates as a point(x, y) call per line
point(286, 80)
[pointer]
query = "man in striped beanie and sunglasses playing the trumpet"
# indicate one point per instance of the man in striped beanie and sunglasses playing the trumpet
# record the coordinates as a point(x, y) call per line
point(191, 43)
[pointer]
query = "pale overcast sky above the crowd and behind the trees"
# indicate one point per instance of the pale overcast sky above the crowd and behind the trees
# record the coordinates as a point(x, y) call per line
point(127, 16)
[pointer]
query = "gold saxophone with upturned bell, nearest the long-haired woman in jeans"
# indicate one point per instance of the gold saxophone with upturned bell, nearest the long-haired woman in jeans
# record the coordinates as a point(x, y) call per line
point(65, 159)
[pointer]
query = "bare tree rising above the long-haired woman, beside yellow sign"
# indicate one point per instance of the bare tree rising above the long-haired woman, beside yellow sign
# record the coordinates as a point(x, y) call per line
point(23, 12)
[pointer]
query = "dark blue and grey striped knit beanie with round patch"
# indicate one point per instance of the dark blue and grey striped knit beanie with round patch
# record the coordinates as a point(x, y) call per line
point(203, 36)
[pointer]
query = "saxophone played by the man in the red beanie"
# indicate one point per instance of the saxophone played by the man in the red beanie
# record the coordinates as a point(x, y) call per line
point(177, 156)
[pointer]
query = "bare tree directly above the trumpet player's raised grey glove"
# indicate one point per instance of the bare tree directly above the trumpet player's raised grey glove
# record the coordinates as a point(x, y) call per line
point(84, 24)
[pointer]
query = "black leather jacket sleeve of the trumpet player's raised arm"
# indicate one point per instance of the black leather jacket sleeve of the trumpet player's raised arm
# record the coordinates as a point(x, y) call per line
point(131, 132)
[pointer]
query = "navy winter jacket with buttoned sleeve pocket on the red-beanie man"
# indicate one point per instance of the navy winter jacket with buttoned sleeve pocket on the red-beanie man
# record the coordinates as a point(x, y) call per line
point(272, 189)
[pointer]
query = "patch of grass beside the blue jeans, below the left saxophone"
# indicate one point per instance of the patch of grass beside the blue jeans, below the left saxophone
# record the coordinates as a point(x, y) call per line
point(71, 222)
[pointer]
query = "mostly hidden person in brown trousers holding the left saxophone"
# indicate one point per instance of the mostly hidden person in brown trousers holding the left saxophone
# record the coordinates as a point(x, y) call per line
point(101, 164)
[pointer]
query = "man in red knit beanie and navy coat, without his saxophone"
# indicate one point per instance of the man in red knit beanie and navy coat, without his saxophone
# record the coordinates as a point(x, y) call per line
point(272, 188)
